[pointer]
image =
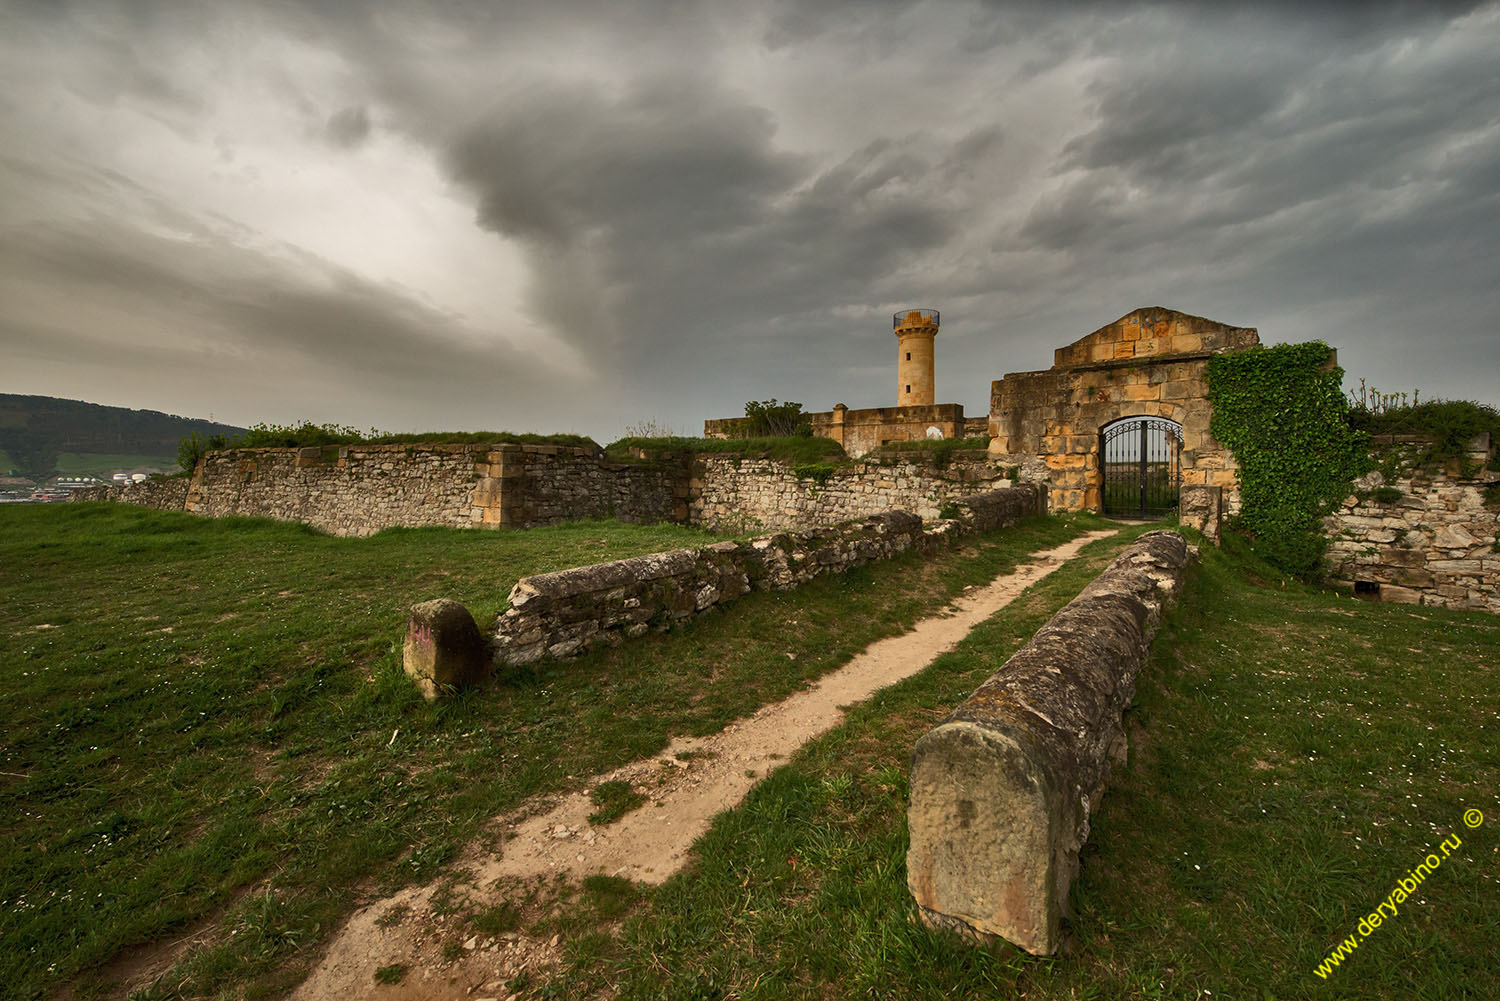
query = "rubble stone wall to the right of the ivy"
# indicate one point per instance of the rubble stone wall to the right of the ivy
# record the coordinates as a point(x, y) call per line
point(1424, 538)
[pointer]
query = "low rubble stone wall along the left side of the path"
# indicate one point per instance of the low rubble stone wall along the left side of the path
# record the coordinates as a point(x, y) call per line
point(565, 613)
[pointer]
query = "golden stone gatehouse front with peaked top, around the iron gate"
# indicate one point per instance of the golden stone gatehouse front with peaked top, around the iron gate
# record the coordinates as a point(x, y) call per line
point(1148, 364)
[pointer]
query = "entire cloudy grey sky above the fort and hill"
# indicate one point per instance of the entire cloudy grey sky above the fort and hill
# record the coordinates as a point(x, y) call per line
point(577, 217)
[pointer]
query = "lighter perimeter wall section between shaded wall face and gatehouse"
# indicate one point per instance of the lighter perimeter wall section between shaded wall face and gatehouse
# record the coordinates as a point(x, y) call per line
point(761, 494)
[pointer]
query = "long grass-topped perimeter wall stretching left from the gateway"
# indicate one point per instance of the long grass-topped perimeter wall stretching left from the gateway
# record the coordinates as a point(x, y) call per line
point(362, 490)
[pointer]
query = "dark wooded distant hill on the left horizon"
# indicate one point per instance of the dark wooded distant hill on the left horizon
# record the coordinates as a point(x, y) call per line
point(43, 434)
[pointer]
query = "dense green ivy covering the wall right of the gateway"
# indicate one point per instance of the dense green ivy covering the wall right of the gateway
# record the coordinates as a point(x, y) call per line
point(1285, 416)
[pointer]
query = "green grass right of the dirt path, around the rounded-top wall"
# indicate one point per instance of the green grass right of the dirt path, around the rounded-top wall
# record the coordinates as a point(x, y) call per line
point(1294, 756)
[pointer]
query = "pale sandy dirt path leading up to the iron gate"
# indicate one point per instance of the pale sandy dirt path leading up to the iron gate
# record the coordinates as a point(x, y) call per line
point(686, 786)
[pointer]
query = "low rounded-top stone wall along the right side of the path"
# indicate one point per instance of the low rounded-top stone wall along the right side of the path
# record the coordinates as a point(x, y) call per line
point(1003, 790)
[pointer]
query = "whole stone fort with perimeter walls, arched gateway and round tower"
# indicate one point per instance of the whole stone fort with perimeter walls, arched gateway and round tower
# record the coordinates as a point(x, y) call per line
point(1120, 425)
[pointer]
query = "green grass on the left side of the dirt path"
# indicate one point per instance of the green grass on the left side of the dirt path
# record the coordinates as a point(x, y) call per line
point(208, 727)
